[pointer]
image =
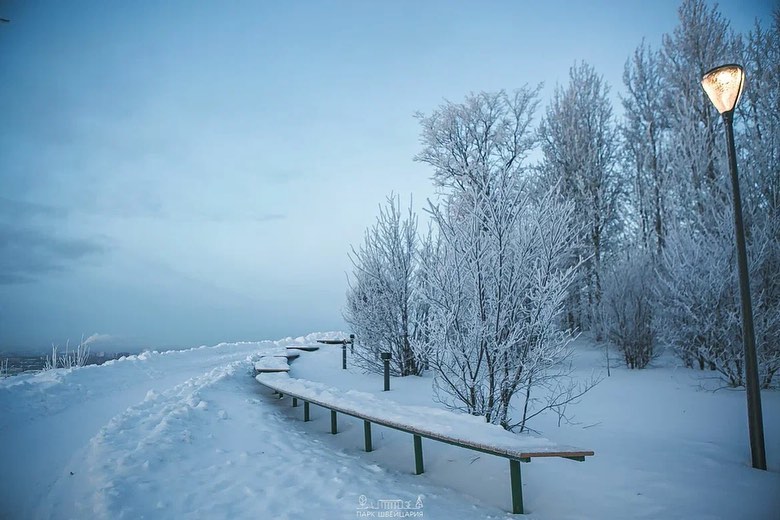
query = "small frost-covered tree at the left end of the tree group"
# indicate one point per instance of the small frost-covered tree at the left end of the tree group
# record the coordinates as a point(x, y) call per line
point(384, 306)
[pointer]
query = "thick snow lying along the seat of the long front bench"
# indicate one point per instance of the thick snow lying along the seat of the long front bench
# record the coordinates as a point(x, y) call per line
point(454, 428)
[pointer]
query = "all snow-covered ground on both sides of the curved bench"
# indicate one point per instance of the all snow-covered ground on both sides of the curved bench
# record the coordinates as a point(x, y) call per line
point(191, 434)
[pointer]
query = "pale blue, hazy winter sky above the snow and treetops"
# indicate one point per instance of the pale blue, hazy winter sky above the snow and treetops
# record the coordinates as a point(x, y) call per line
point(180, 173)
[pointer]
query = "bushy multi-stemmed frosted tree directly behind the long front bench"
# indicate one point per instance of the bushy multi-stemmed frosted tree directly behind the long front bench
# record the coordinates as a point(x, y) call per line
point(496, 290)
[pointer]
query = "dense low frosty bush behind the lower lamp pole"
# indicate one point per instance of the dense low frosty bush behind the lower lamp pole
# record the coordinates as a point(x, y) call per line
point(701, 308)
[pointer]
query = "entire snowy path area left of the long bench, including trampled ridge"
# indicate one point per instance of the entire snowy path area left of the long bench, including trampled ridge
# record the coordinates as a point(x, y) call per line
point(183, 435)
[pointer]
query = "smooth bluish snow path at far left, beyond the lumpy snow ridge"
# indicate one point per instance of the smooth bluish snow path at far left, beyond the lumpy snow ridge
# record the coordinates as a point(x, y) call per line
point(56, 414)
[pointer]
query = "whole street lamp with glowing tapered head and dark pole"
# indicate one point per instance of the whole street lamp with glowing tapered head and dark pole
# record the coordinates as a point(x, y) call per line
point(723, 86)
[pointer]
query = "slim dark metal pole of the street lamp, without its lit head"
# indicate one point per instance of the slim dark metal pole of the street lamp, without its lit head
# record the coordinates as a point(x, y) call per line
point(752, 389)
